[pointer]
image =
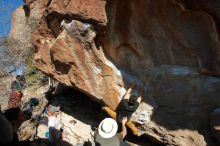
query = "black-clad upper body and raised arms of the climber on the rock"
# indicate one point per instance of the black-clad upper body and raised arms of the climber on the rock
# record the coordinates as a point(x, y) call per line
point(129, 105)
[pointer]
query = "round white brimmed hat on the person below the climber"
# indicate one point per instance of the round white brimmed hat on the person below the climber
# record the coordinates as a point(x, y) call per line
point(107, 128)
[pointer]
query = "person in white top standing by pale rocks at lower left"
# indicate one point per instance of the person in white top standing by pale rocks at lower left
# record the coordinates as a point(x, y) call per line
point(53, 124)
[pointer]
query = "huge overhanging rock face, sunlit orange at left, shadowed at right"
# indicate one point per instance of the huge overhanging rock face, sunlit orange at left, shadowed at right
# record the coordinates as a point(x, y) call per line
point(100, 47)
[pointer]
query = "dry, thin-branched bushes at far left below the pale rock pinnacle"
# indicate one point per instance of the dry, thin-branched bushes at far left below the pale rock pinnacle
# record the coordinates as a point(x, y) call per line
point(15, 53)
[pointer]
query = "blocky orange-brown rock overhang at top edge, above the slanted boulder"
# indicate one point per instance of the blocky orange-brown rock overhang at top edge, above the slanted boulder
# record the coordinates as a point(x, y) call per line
point(89, 10)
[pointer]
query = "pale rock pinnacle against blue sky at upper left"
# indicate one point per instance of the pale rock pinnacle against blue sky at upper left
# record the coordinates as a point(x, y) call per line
point(24, 21)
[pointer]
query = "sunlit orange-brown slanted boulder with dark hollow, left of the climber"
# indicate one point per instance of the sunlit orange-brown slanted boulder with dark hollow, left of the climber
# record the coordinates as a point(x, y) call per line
point(73, 61)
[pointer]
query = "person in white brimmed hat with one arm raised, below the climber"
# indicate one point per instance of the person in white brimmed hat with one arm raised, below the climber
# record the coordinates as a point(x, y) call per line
point(107, 133)
